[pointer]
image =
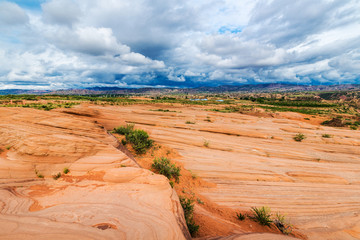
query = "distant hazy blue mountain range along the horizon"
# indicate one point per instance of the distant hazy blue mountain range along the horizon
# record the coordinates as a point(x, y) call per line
point(250, 88)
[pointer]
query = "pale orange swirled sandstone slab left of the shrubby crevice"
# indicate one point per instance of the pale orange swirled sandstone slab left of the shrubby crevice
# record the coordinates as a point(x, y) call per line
point(98, 199)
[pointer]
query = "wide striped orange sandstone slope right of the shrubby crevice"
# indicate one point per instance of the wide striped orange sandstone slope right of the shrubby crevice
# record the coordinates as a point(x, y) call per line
point(255, 162)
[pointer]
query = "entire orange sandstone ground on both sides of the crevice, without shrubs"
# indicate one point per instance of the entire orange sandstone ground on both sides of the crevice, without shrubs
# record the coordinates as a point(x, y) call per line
point(237, 161)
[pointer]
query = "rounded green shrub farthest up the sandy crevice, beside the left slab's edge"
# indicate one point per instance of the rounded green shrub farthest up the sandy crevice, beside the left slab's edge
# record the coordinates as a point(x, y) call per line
point(139, 140)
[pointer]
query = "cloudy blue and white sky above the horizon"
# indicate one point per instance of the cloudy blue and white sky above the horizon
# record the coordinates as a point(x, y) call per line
point(62, 44)
